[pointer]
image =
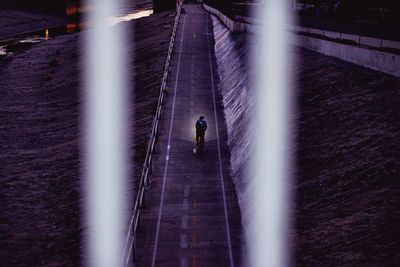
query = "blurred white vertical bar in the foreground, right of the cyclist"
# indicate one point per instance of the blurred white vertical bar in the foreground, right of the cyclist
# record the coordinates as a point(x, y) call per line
point(267, 238)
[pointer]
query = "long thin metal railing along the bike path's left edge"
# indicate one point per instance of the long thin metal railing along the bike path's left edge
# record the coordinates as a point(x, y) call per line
point(129, 250)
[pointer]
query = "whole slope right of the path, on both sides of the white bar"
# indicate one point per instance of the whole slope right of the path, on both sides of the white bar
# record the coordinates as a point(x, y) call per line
point(347, 187)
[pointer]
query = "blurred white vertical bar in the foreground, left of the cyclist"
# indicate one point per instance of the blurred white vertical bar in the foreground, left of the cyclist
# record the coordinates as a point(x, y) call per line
point(105, 130)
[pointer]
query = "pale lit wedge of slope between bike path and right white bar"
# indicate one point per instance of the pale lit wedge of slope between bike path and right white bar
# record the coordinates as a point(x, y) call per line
point(232, 54)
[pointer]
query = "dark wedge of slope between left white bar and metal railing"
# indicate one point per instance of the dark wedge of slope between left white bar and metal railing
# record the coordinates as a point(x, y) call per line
point(151, 37)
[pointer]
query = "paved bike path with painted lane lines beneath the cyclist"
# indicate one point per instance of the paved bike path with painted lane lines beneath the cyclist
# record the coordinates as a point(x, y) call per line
point(192, 217)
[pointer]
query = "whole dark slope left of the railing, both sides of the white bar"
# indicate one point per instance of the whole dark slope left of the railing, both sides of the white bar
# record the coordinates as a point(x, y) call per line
point(40, 156)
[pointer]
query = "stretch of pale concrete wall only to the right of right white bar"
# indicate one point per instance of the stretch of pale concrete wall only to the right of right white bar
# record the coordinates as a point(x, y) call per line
point(373, 59)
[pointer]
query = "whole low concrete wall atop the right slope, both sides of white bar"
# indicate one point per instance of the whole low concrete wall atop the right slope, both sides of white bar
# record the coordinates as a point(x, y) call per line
point(369, 58)
